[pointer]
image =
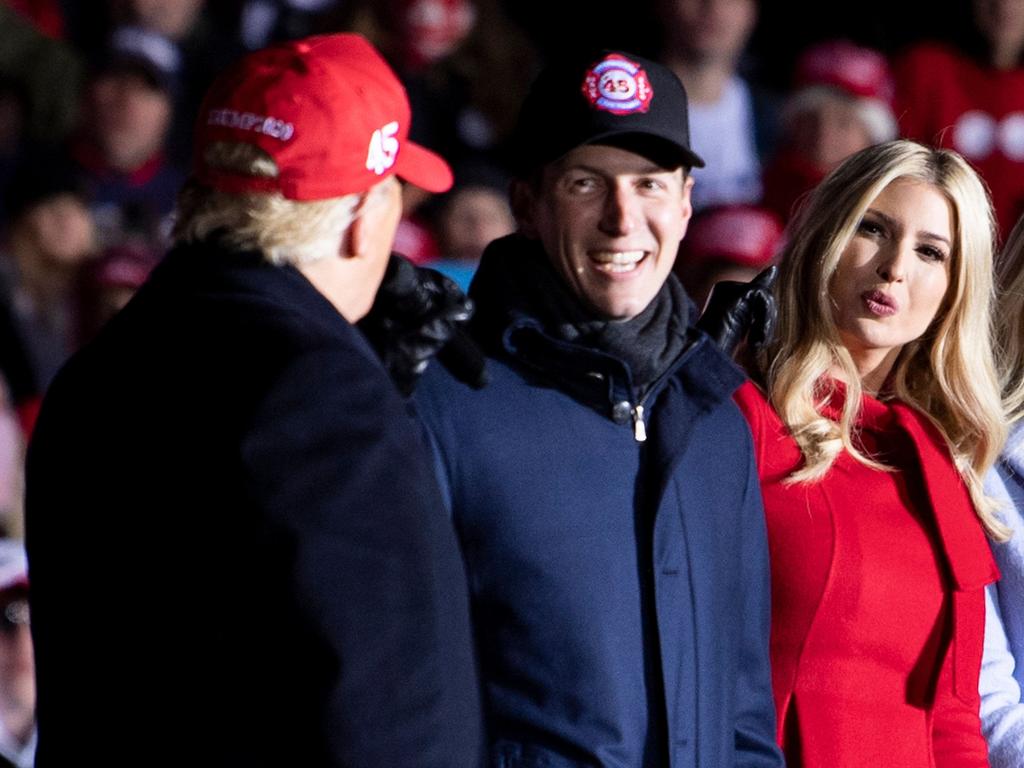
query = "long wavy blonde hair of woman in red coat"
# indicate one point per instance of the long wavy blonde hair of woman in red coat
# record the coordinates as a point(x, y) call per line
point(949, 373)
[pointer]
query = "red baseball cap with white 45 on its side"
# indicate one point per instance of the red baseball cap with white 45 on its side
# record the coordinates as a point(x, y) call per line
point(331, 113)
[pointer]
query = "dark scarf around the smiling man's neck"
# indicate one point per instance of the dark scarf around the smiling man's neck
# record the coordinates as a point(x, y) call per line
point(516, 279)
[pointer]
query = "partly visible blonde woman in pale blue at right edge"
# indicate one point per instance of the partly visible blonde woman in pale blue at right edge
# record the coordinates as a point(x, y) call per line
point(1003, 667)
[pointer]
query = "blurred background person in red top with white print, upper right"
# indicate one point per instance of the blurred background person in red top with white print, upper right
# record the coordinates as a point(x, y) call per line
point(969, 96)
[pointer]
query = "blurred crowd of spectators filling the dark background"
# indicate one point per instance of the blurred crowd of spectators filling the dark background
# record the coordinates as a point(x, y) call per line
point(98, 103)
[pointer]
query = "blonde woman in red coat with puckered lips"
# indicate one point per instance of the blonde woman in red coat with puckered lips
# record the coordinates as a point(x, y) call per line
point(878, 418)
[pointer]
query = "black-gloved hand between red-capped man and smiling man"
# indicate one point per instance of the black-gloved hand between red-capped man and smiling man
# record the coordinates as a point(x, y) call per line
point(419, 314)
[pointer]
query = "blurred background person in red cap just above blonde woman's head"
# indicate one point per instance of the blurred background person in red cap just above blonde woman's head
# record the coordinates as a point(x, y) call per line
point(841, 103)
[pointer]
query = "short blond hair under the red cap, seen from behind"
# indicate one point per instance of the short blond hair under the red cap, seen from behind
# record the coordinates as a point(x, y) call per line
point(286, 232)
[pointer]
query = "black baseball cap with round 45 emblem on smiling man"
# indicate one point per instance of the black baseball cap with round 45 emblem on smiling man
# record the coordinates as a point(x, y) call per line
point(609, 98)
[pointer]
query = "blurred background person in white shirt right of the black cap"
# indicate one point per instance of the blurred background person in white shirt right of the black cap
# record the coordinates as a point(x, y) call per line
point(732, 120)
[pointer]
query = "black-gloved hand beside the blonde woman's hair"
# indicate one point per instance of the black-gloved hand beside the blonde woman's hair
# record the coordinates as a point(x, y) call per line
point(738, 311)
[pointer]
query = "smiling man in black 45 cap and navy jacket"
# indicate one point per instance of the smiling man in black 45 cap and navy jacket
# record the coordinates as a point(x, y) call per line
point(604, 484)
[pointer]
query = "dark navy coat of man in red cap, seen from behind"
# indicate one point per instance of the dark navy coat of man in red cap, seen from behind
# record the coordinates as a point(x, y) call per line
point(238, 551)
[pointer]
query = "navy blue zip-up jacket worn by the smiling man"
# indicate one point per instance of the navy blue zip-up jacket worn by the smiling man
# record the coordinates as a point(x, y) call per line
point(620, 588)
